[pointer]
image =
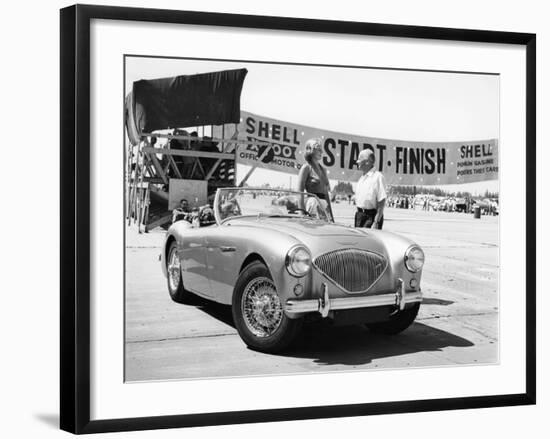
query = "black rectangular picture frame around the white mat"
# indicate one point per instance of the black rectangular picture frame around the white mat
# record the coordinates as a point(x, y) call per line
point(75, 217)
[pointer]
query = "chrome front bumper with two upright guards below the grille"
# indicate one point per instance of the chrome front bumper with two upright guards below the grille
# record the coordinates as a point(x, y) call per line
point(325, 304)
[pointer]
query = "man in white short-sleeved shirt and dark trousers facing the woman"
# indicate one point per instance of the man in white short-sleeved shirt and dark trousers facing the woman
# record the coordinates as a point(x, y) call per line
point(370, 193)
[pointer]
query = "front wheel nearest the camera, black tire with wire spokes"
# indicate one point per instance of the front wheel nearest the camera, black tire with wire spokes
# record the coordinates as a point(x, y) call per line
point(258, 312)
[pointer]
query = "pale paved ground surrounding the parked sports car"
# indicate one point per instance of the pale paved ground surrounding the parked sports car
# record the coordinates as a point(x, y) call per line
point(457, 324)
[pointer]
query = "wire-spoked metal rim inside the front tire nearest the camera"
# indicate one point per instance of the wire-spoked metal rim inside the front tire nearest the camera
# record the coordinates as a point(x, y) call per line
point(261, 307)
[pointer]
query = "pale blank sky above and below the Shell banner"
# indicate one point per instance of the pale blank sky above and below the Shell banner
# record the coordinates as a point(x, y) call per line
point(373, 102)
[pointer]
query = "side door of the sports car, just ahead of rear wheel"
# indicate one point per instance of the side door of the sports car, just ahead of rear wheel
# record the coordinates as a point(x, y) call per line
point(193, 262)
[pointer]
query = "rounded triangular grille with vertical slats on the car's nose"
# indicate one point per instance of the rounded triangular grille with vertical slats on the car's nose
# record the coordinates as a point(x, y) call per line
point(351, 269)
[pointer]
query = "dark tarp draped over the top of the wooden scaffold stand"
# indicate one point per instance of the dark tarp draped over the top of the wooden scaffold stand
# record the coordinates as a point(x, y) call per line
point(184, 101)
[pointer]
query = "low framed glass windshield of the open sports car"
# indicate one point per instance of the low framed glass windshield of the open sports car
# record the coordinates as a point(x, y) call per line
point(234, 202)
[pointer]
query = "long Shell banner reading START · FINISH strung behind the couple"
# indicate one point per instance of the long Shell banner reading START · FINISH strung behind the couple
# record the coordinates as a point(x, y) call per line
point(401, 162)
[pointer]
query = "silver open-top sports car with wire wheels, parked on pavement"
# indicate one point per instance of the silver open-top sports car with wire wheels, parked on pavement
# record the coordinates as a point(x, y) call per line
point(276, 258)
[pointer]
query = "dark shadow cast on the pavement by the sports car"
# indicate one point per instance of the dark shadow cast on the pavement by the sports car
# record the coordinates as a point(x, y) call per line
point(327, 344)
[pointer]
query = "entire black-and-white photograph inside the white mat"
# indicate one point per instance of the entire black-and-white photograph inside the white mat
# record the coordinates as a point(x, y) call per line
point(286, 218)
